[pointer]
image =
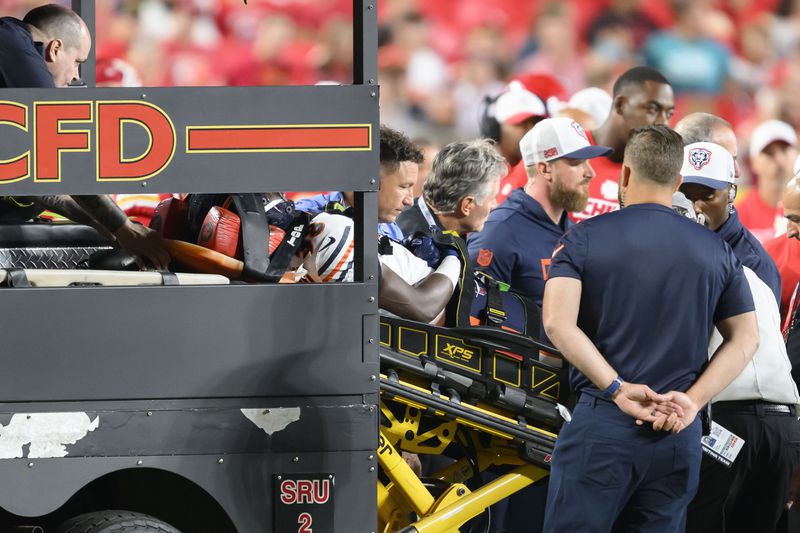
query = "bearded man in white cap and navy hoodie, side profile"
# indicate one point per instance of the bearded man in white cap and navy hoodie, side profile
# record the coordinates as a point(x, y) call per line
point(519, 236)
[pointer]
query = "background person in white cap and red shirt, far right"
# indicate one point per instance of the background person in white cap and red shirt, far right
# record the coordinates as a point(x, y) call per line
point(773, 149)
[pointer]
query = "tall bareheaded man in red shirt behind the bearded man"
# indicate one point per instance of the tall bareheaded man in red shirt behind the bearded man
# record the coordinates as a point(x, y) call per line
point(641, 96)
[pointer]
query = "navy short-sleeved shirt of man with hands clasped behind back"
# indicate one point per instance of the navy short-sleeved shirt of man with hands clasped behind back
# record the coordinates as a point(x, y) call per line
point(653, 286)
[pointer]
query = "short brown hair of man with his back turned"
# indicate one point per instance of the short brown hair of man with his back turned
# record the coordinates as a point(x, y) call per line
point(655, 153)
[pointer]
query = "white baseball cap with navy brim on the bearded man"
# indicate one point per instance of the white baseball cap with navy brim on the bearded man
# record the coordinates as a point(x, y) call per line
point(554, 138)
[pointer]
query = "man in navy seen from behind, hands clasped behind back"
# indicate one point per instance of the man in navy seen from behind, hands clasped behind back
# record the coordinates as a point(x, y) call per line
point(640, 353)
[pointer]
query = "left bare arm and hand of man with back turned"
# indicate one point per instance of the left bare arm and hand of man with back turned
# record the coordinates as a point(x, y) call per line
point(562, 297)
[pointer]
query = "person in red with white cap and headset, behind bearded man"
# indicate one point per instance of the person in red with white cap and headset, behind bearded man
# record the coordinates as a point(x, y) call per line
point(516, 112)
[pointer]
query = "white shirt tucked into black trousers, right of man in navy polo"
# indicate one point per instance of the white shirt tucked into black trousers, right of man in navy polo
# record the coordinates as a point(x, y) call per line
point(768, 376)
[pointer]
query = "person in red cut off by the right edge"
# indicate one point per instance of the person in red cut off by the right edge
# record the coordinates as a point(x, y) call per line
point(785, 249)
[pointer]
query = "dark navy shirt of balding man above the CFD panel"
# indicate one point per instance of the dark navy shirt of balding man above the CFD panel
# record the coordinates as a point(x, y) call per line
point(21, 60)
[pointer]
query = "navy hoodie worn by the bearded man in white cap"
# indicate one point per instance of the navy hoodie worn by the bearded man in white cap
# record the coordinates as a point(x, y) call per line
point(516, 244)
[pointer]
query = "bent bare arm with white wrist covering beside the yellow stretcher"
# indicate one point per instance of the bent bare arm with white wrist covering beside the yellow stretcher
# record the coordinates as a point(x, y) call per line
point(422, 302)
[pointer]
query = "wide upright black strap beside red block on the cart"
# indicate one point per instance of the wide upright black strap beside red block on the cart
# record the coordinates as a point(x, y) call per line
point(250, 208)
